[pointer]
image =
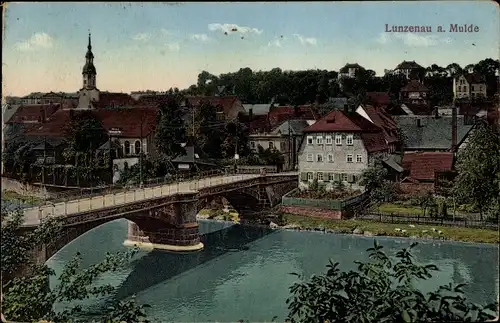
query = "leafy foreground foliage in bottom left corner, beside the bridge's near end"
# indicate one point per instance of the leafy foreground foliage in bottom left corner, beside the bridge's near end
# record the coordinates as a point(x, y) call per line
point(29, 298)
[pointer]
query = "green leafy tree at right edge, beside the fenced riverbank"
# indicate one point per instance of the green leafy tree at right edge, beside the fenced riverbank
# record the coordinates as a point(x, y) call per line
point(478, 165)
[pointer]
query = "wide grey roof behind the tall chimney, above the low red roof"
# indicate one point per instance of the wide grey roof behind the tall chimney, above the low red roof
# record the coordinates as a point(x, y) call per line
point(433, 133)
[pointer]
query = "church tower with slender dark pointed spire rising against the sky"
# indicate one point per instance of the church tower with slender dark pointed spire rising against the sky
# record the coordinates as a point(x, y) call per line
point(89, 93)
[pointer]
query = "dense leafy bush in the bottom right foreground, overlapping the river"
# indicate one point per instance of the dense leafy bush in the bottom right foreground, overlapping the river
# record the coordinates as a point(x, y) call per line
point(381, 290)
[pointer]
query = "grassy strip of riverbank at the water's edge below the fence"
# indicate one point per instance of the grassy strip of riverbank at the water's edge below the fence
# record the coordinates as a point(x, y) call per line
point(389, 229)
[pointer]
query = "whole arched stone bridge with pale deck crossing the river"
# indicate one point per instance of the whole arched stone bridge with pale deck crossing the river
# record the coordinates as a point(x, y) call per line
point(162, 216)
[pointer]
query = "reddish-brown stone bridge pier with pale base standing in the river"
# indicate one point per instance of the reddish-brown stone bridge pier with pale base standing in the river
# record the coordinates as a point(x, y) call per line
point(173, 228)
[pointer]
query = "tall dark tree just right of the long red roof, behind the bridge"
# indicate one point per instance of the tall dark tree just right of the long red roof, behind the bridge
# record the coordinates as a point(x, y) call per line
point(170, 132)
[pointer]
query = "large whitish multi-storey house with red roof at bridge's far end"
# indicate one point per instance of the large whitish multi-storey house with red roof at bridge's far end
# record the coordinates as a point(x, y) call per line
point(338, 148)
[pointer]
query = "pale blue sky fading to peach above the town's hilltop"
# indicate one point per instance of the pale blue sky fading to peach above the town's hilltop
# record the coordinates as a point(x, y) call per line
point(155, 46)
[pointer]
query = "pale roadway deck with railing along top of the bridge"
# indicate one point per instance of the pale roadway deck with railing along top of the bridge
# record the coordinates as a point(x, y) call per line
point(33, 215)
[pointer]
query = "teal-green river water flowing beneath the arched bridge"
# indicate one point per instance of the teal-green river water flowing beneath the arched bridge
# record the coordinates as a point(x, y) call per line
point(243, 272)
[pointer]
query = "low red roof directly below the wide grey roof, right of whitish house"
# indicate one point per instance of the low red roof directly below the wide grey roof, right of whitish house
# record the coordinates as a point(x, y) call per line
point(422, 166)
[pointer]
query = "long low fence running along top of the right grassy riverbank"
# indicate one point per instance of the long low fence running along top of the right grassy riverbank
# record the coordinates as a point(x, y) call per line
point(417, 219)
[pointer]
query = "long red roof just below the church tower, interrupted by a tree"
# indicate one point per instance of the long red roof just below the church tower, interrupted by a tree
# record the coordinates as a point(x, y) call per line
point(128, 121)
